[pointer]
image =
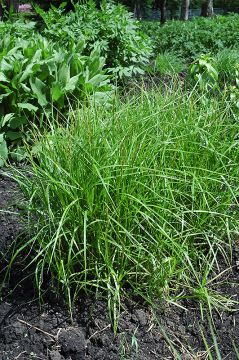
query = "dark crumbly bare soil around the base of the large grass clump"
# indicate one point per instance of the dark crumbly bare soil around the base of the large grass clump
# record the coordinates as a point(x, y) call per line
point(30, 331)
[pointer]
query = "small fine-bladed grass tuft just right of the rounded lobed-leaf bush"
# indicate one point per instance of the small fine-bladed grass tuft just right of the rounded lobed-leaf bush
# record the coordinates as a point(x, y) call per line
point(168, 64)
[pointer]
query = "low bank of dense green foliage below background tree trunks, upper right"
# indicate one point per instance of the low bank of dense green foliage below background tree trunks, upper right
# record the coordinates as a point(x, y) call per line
point(193, 38)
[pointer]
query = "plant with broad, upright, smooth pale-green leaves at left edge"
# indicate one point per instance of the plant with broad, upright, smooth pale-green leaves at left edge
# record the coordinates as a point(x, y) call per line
point(37, 76)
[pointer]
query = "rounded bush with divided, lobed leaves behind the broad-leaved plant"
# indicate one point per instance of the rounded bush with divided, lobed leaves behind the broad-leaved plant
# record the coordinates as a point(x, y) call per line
point(112, 30)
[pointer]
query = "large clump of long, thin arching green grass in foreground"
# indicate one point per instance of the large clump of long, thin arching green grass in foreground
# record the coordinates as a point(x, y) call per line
point(136, 199)
